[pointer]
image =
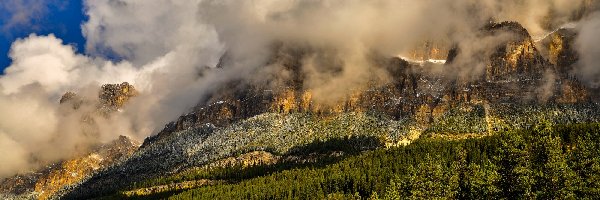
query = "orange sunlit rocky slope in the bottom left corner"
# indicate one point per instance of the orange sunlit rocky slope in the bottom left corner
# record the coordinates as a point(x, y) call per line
point(45, 183)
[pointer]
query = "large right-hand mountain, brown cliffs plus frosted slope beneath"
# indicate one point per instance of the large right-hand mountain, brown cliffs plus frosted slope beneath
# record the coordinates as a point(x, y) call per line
point(524, 82)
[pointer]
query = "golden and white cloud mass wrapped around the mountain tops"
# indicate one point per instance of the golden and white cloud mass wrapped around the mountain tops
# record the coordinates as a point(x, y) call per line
point(161, 47)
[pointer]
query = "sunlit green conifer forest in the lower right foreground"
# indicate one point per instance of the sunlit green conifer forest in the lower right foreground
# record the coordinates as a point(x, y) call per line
point(543, 162)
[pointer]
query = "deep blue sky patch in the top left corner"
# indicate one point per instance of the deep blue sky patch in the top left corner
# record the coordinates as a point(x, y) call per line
point(19, 18)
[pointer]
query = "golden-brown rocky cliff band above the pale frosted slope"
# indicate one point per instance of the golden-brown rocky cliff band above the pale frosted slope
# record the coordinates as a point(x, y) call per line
point(516, 71)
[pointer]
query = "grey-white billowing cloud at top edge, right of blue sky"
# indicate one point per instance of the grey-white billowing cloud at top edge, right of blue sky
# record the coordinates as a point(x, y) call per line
point(140, 31)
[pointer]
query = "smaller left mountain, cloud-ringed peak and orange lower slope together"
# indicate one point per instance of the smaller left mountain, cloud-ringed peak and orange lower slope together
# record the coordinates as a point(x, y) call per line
point(46, 182)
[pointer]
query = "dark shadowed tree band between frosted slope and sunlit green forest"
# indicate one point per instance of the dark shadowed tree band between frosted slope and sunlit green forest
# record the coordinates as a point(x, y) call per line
point(315, 154)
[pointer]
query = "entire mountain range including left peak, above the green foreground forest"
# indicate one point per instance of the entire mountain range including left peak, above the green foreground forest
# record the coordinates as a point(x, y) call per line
point(281, 123)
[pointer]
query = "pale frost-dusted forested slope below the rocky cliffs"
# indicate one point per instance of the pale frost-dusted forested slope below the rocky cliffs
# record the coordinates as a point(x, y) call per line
point(278, 134)
